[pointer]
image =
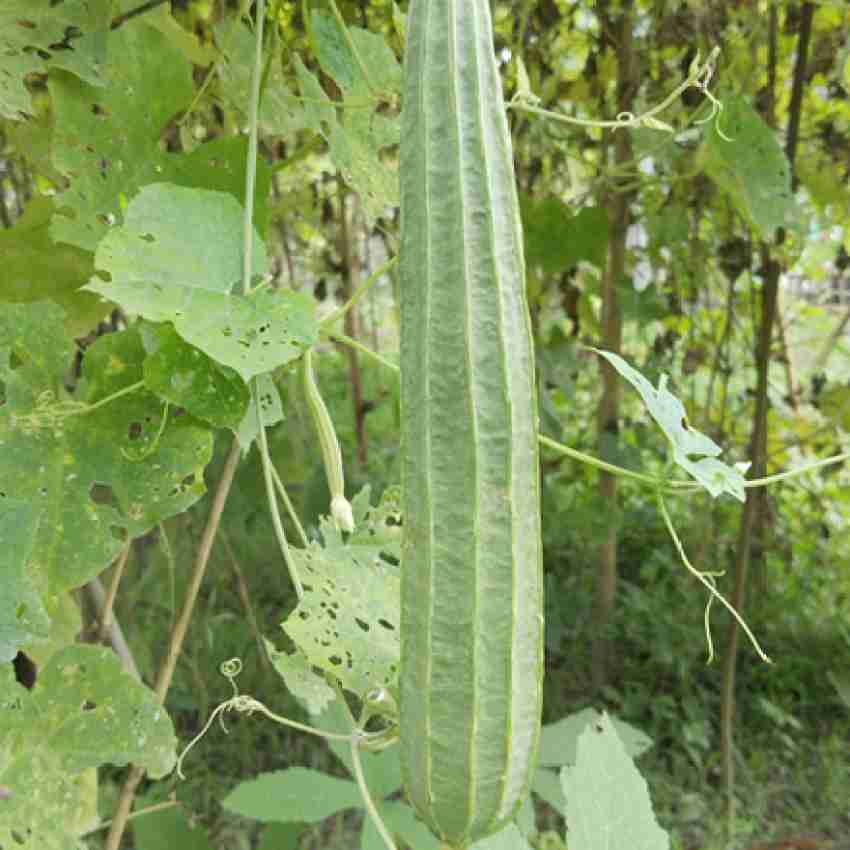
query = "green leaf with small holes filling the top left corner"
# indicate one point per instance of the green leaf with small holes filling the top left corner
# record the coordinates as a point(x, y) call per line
point(30, 34)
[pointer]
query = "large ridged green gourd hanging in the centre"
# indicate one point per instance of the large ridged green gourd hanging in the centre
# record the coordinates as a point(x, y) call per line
point(472, 600)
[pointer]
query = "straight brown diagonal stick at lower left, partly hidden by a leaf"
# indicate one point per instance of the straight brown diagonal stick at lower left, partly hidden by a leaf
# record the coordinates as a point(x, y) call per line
point(178, 635)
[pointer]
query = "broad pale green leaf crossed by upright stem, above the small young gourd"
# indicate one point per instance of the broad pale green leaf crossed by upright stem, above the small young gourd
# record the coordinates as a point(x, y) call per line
point(177, 257)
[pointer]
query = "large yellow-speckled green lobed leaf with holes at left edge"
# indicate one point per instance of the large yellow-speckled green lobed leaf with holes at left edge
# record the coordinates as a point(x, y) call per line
point(97, 476)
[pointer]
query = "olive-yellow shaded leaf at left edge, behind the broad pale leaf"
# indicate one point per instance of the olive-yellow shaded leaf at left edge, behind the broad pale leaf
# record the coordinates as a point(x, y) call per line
point(34, 266)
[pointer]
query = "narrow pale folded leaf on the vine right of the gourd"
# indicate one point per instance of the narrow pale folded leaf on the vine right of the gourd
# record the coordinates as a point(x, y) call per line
point(714, 475)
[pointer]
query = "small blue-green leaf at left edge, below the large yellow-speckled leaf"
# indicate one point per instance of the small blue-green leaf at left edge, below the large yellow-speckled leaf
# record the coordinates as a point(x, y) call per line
point(23, 618)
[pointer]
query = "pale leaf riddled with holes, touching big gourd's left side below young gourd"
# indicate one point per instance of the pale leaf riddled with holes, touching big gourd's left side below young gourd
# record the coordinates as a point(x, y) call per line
point(347, 622)
